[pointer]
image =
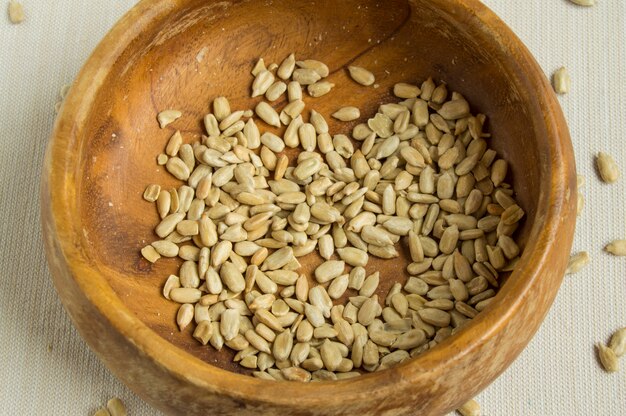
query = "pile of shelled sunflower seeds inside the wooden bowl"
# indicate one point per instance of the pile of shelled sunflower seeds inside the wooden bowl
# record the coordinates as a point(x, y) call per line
point(423, 178)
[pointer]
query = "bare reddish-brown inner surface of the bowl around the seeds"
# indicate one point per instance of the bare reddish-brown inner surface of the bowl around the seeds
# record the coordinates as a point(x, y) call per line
point(207, 49)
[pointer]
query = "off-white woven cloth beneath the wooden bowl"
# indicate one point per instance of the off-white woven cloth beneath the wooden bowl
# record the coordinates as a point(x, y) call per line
point(558, 374)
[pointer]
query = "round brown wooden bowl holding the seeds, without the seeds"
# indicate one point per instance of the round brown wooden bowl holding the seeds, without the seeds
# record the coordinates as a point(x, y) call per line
point(181, 54)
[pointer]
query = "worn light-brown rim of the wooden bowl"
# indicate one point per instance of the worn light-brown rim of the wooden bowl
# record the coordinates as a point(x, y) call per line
point(542, 237)
